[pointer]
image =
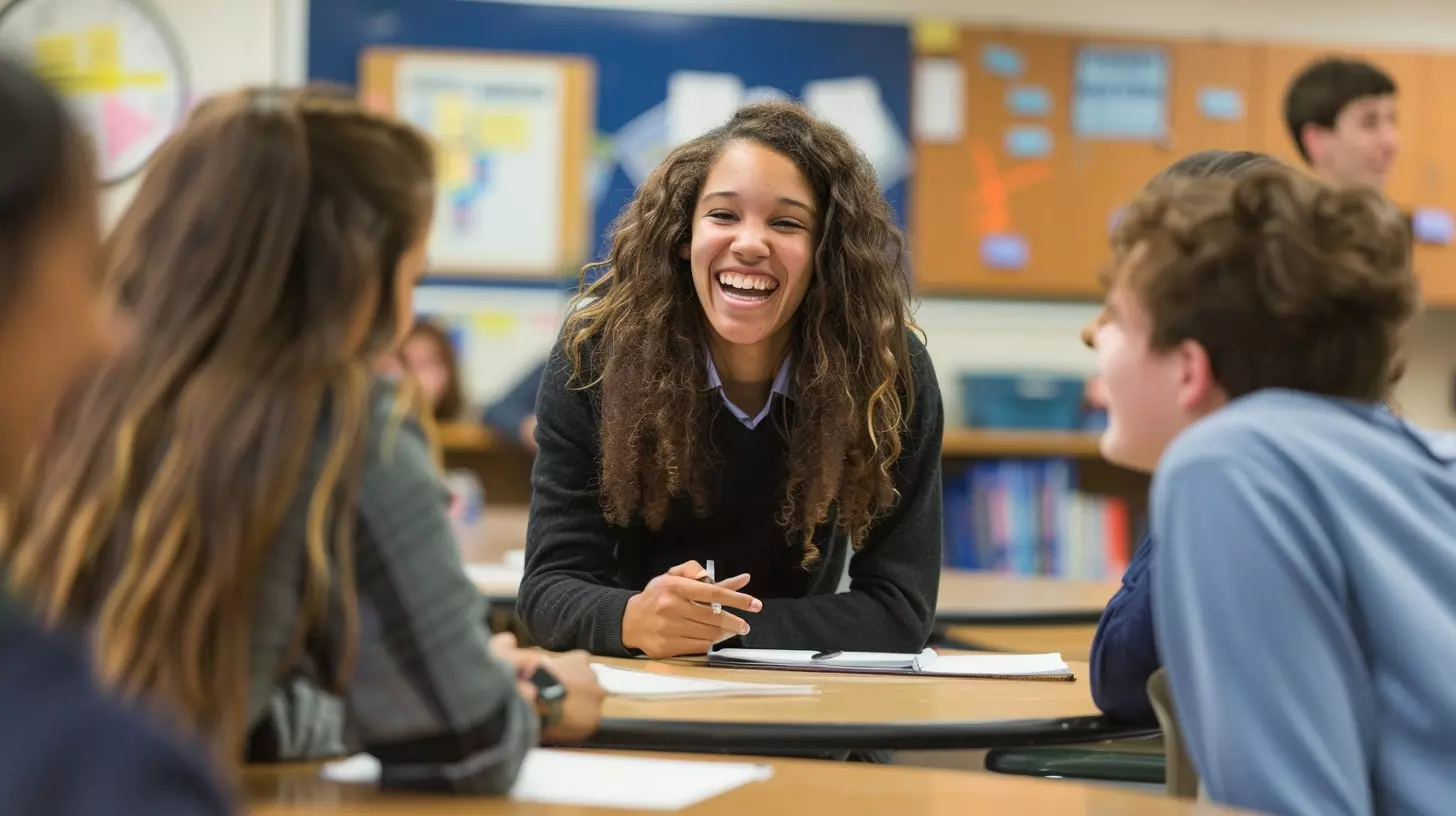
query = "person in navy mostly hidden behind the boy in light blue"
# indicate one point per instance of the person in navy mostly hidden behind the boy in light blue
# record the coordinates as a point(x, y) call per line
point(1125, 652)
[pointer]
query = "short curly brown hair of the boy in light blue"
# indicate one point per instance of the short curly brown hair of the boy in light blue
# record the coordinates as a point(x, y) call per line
point(1283, 280)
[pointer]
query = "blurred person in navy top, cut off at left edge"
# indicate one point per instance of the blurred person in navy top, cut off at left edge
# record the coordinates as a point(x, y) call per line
point(68, 751)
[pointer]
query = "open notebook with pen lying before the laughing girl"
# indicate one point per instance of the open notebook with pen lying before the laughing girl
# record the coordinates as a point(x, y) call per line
point(930, 664)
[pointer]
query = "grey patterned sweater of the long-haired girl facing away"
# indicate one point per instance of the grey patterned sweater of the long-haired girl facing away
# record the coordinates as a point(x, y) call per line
point(426, 696)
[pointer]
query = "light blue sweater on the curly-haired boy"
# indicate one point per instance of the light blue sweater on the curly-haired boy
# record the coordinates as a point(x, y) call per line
point(1305, 603)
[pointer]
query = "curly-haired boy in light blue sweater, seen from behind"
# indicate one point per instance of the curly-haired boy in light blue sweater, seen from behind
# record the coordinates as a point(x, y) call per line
point(1302, 592)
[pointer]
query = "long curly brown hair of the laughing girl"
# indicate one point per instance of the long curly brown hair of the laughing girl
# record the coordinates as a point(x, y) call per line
point(640, 333)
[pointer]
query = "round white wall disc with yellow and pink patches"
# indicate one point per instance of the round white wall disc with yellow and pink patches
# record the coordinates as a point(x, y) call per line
point(119, 66)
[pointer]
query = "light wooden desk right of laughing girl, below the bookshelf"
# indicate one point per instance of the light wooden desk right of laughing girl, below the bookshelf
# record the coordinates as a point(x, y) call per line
point(988, 598)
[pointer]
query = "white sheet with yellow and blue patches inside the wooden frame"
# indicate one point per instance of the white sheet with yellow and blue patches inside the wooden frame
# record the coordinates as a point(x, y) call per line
point(499, 129)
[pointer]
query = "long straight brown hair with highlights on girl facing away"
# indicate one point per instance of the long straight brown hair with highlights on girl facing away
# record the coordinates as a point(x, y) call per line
point(260, 232)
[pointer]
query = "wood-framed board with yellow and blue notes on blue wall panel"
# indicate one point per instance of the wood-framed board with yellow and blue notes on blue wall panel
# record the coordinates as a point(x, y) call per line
point(512, 144)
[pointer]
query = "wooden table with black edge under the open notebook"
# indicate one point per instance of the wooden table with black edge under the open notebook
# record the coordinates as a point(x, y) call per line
point(858, 713)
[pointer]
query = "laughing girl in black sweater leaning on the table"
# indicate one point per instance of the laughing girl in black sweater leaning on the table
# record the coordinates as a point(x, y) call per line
point(745, 387)
